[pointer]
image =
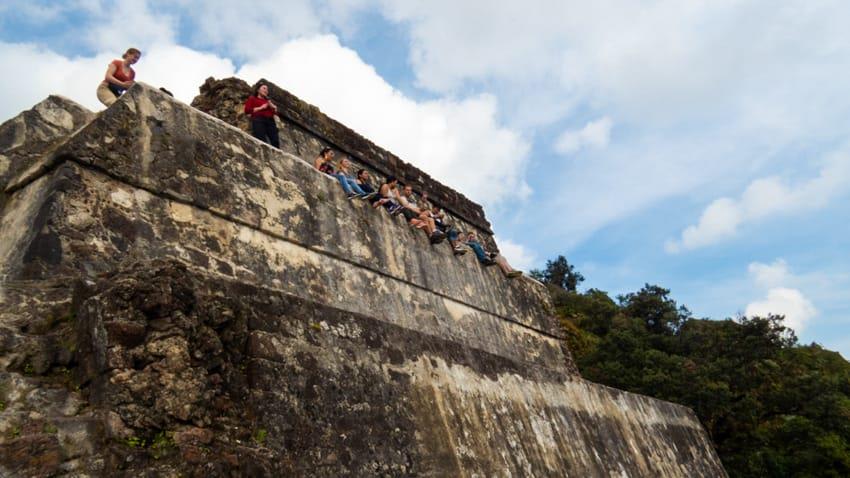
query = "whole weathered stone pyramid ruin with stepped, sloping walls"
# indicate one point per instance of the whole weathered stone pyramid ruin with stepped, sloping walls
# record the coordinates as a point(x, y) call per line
point(180, 299)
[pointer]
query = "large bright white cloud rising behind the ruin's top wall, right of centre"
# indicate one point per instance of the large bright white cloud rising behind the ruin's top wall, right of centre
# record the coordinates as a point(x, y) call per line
point(457, 141)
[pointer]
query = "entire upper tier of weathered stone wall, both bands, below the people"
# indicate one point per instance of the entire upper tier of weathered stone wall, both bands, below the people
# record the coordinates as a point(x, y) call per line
point(151, 177)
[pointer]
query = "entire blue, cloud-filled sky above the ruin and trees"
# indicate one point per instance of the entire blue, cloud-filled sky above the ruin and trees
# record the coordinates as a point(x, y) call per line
point(701, 146)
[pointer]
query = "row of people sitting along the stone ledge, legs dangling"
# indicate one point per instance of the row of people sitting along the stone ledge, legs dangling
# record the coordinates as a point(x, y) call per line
point(397, 199)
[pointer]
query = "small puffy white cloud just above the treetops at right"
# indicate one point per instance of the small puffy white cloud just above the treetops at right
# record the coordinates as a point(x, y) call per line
point(780, 298)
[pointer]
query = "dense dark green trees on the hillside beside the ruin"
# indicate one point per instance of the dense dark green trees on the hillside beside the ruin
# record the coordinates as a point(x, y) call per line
point(772, 407)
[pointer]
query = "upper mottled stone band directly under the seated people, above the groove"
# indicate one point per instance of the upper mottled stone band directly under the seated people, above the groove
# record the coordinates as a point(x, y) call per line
point(166, 150)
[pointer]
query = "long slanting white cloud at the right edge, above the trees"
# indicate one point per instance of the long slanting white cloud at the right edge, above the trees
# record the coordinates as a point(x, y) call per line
point(764, 198)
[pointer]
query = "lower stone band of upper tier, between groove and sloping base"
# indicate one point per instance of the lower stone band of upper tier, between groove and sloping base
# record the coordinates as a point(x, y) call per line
point(96, 223)
